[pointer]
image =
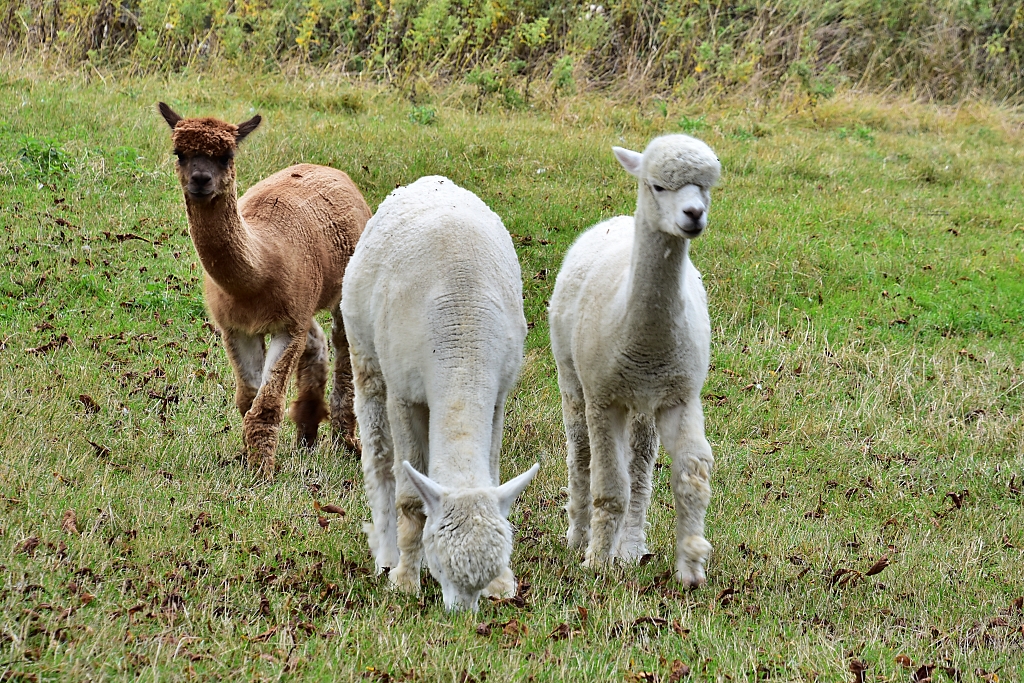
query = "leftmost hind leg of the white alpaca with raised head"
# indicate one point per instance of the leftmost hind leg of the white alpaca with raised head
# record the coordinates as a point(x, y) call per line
point(578, 460)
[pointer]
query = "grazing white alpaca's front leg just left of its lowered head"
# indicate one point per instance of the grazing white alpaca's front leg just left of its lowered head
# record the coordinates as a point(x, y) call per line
point(409, 430)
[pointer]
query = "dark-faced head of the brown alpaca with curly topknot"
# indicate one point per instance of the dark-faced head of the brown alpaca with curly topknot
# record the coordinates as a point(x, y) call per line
point(205, 149)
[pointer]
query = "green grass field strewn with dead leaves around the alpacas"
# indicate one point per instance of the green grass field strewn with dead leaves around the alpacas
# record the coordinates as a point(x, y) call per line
point(867, 289)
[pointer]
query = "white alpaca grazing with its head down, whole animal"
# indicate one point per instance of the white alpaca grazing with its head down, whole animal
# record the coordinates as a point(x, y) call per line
point(433, 305)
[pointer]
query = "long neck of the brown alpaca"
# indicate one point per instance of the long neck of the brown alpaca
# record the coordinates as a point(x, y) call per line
point(229, 250)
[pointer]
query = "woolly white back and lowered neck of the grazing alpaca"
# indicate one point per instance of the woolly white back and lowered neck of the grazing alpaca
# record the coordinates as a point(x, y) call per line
point(434, 294)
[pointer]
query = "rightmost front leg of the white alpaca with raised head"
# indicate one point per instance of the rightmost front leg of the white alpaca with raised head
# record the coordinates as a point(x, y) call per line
point(682, 433)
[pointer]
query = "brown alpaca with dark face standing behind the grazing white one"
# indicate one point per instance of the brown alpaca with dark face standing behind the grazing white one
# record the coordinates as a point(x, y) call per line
point(272, 260)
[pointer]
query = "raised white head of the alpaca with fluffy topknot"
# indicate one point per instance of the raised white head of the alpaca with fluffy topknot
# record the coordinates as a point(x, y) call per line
point(676, 175)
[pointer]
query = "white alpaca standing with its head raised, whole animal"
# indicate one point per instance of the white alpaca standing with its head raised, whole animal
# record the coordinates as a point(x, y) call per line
point(632, 339)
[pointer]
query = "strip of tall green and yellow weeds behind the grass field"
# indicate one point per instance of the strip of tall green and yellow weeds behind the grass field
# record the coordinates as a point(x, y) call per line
point(938, 50)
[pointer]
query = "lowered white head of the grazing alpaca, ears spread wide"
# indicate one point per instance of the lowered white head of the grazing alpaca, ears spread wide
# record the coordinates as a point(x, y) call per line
point(467, 538)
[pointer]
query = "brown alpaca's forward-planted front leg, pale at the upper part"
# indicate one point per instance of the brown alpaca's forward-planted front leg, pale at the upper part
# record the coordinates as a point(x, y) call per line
point(263, 422)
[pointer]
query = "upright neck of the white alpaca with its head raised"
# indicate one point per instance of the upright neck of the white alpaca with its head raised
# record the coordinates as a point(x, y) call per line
point(657, 271)
